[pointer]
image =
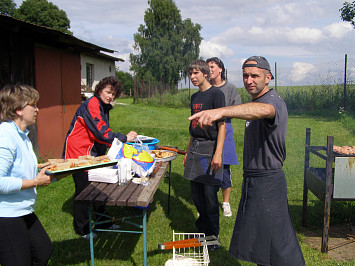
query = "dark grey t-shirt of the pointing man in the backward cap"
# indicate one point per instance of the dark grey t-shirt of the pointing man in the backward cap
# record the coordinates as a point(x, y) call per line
point(265, 139)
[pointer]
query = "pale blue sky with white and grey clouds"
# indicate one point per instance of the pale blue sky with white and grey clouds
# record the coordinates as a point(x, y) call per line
point(296, 34)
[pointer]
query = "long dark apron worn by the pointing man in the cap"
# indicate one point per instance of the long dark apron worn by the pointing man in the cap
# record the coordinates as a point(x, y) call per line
point(263, 231)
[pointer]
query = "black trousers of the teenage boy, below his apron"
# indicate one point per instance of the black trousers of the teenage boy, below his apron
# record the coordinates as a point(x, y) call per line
point(206, 202)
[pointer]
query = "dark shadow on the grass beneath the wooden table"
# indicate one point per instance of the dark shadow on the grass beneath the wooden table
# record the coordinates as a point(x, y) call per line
point(108, 245)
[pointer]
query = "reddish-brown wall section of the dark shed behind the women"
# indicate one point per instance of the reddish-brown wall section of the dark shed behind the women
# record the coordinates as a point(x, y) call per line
point(58, 82)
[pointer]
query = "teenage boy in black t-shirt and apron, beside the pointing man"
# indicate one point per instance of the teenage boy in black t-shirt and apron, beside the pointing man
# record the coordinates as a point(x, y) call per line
point(203, 160)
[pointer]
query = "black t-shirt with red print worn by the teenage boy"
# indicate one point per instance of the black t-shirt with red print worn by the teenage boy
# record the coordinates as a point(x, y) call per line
point(204, 100)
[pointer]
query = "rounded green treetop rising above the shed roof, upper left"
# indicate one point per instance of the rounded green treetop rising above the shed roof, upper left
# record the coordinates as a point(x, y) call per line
point(43, 13)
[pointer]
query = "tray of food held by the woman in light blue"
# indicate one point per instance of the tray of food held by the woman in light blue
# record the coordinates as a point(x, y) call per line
point(70, 166)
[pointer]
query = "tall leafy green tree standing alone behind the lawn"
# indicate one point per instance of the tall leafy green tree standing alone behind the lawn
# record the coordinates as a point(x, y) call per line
point(166, 44)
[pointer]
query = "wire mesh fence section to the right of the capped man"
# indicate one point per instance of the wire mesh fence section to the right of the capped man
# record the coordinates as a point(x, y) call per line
point(326, 85)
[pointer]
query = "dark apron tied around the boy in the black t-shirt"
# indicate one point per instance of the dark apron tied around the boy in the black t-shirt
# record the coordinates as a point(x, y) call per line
point(198, 163)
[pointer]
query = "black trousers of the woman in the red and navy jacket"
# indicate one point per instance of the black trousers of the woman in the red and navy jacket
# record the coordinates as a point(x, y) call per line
point(81, 211)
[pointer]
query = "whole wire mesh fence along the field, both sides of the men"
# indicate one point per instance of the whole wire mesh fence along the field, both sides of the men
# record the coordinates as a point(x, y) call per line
point(329, 84)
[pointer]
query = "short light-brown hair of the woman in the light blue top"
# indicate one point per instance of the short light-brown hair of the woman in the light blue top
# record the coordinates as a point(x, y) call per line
point(15, 97)
